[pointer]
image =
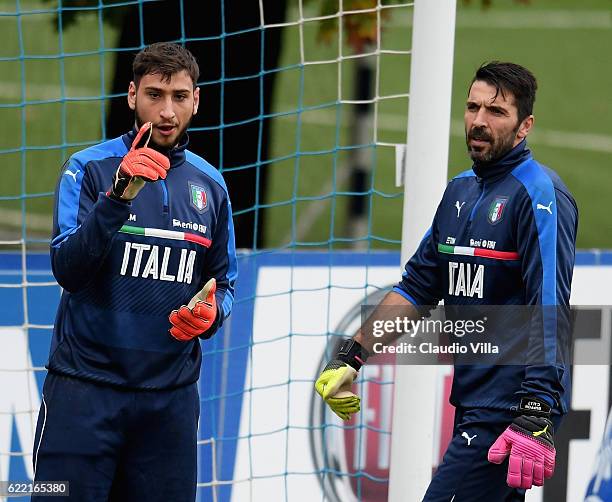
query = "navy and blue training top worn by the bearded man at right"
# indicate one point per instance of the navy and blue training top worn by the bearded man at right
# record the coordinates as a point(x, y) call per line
point(504, 234)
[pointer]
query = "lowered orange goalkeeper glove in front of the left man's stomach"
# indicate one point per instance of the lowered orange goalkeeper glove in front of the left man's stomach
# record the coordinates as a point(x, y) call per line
point(198, 317)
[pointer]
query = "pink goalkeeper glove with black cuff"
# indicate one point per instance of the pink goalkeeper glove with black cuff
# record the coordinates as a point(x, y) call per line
point(529, 442)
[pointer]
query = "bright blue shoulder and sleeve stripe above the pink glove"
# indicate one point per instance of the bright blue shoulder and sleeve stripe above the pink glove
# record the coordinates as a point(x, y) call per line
point(541, 191)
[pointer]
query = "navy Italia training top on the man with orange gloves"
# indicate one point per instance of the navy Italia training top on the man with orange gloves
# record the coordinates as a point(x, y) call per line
point(125, 266)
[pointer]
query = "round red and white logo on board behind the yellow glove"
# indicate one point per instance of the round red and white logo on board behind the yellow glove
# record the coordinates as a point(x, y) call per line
point(362, 448)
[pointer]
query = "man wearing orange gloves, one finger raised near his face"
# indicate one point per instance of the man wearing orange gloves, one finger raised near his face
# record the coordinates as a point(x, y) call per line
point(143, 245)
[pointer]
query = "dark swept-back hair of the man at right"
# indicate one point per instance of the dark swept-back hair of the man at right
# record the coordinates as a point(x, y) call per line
point(512, 78)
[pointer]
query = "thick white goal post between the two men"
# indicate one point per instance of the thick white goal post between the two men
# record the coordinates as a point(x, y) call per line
point(425, 177)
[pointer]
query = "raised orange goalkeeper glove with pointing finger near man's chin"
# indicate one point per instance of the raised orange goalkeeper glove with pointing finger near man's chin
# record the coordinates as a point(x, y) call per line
point(138, 166)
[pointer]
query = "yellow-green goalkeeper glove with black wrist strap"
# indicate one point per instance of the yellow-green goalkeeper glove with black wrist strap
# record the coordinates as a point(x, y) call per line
point(335, 382)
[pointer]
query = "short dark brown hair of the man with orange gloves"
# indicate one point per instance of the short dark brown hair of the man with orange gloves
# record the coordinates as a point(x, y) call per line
point(165, 59)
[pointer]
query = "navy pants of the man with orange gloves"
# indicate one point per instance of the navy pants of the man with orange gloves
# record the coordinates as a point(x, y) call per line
point(117, 445)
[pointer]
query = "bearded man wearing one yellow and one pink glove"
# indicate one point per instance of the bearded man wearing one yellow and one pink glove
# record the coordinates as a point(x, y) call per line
point(505, 415)
